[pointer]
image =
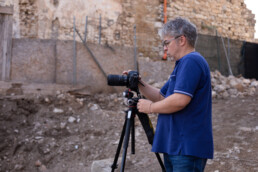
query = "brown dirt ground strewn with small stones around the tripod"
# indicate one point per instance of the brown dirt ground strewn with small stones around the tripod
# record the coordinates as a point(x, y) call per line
point(66, 133)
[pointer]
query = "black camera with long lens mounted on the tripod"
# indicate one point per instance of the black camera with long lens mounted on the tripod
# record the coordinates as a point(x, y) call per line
point(130, 81)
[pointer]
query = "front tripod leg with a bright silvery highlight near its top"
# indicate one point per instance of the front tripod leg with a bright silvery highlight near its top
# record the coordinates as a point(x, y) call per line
point(126, 142)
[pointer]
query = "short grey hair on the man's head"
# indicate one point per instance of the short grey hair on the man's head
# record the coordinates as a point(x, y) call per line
point(180, 26)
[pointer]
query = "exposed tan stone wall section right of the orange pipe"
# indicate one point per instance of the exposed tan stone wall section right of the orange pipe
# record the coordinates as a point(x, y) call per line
point(230, 17)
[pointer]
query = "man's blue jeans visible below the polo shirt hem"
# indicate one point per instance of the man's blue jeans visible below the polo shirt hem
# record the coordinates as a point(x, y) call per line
point(184, 163)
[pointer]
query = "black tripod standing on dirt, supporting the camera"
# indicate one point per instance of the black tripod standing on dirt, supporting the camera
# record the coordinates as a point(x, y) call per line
point(129, 127)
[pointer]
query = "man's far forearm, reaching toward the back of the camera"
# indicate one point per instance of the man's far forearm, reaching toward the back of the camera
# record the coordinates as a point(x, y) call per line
point(150, 92)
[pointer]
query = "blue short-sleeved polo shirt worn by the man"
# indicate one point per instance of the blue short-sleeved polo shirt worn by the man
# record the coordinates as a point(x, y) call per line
point(189, 131)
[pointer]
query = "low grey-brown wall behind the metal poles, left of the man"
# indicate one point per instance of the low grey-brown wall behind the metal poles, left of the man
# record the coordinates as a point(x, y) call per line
point(50, 61)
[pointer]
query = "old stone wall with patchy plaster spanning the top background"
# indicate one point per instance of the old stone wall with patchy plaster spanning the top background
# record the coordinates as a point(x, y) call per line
point(48, 19)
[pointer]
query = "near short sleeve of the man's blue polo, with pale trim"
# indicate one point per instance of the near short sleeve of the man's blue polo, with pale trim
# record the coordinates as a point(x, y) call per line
point(188, 77)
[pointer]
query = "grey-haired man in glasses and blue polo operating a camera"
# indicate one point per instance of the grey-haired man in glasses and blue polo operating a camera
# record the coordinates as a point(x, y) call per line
point(184, 128)
